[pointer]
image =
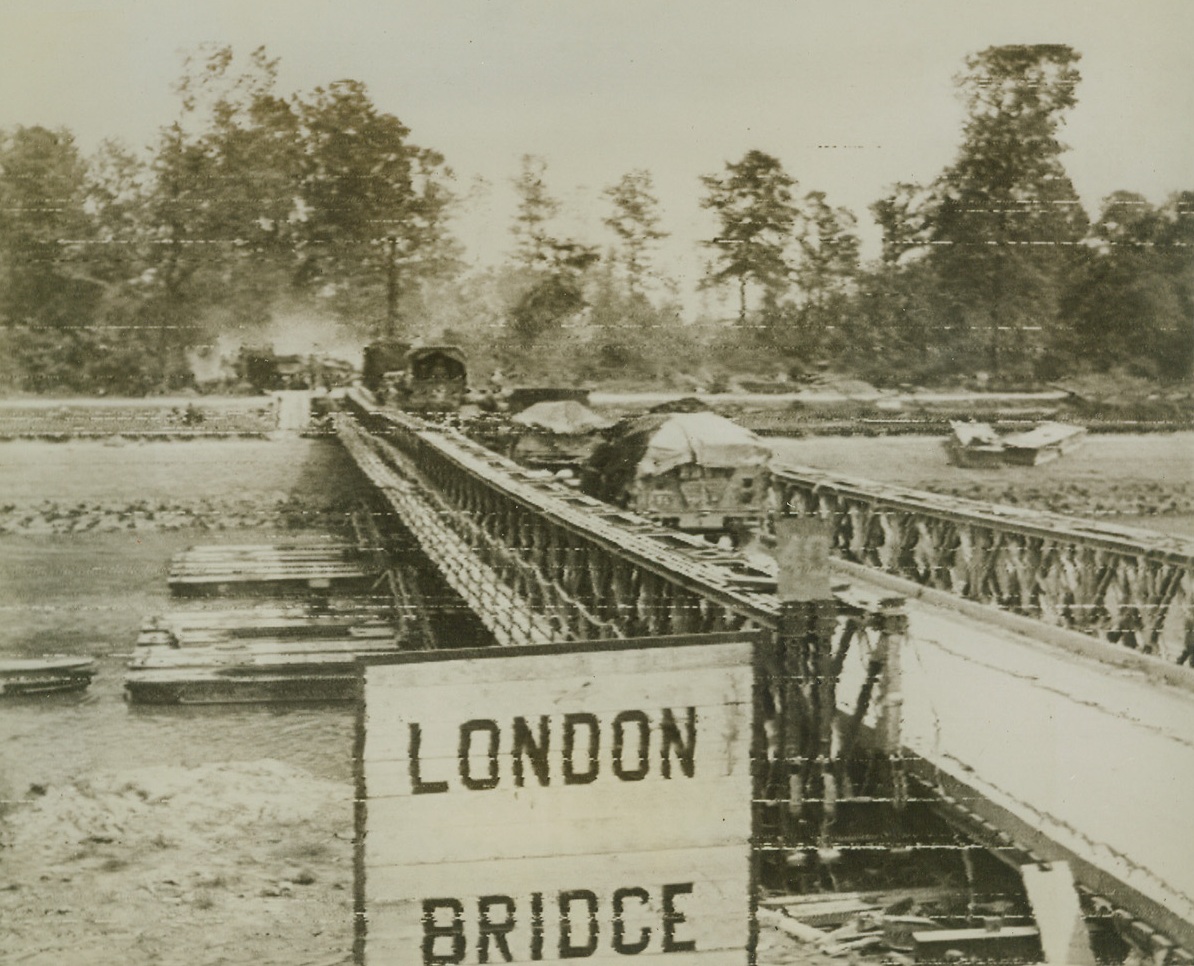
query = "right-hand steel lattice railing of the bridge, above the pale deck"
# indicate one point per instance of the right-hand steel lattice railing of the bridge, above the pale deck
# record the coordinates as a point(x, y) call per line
point(1129, 587)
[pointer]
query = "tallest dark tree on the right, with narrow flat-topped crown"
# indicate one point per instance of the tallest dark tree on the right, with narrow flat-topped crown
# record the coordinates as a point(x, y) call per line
point(1005, 217)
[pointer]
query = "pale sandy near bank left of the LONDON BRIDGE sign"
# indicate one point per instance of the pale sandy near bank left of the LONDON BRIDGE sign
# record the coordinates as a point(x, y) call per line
point(233, 863)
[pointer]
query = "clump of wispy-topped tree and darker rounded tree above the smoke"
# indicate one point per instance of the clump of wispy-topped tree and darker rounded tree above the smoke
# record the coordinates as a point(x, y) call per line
point(319, 198)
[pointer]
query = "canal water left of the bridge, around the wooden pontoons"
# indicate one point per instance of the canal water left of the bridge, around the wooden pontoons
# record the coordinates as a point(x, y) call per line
point(88, 595)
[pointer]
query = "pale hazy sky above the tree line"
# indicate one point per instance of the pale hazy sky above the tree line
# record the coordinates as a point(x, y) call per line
point(852, 96)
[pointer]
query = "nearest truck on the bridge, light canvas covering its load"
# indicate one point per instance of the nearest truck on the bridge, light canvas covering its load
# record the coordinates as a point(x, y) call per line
point(694, 471)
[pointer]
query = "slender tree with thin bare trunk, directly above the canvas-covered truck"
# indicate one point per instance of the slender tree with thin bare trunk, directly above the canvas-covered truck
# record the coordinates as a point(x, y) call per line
point(754, 204)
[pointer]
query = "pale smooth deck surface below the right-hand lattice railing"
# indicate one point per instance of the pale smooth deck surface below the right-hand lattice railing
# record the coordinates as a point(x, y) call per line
point(1092, 760)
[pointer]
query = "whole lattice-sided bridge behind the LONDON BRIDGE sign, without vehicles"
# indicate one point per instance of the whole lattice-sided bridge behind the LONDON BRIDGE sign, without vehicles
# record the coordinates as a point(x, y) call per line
point(1027, 673)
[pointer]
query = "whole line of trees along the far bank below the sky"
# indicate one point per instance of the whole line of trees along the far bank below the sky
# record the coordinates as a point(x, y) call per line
point(254, 205)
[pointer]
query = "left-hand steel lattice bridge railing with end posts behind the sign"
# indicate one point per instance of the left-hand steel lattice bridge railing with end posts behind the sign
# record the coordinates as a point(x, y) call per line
point(539, 563)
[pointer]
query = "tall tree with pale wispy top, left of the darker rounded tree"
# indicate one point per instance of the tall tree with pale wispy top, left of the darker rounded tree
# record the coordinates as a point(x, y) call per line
point(224, 195)
